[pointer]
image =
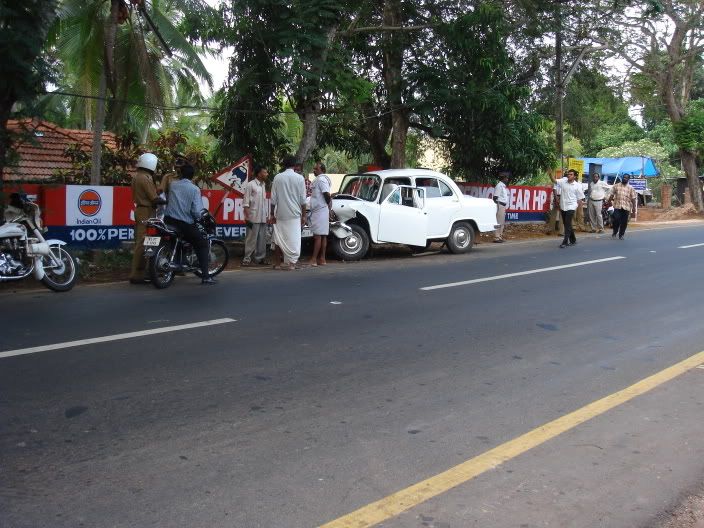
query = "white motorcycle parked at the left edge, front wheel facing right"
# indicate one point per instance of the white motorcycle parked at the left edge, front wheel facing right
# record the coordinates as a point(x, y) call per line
point(24, 251)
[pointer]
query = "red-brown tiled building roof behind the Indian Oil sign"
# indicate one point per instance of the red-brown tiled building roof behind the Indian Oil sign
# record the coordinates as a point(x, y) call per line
point(41, 148)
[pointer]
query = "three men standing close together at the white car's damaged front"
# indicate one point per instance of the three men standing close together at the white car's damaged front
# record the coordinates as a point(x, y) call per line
point(292, 205)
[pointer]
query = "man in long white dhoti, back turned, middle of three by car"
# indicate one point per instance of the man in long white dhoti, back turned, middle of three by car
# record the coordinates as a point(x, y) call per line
point(288, 210)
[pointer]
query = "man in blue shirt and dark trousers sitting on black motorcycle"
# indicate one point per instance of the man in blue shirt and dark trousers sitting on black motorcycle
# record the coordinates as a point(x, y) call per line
point(182, 211)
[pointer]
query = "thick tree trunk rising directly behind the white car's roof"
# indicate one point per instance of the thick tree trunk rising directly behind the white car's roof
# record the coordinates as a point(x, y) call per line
point(393, 80)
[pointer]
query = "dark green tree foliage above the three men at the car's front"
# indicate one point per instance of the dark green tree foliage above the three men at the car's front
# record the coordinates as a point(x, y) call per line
point(286, 53)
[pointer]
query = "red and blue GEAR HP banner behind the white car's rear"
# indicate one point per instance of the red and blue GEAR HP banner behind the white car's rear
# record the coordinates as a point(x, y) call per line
point(528, 204)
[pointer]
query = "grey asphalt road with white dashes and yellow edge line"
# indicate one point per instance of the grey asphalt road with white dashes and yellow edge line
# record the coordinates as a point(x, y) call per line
point(335, 387)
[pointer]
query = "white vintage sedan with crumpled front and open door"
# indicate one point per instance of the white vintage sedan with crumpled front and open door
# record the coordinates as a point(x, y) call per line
point(406, 206)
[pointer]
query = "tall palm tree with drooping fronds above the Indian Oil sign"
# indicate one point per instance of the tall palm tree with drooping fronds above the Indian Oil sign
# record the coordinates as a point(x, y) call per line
point(136, 52)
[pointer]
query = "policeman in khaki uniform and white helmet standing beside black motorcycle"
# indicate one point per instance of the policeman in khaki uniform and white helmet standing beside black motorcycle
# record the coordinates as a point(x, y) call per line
point(146, 199)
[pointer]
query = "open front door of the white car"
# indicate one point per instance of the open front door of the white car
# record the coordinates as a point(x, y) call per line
point(402, 217)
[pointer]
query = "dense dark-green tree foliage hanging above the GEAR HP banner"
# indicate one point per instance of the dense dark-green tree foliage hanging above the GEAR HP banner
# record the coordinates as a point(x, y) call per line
point(473, 101)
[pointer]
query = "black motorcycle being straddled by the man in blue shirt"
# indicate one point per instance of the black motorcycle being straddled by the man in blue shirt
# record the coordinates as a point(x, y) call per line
point(167, 253)
